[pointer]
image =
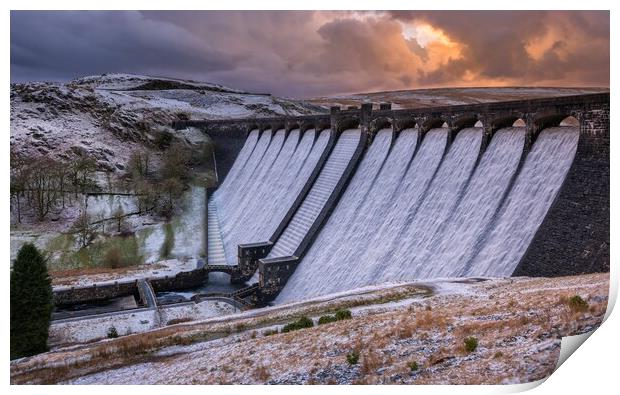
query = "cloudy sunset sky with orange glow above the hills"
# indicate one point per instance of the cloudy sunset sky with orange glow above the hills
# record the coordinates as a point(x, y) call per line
point(317, 53)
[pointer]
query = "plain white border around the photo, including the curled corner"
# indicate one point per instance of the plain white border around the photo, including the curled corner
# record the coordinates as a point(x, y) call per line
point(592, 369)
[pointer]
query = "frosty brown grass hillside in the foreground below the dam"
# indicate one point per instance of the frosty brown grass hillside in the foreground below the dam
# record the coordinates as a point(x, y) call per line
point(517, 323)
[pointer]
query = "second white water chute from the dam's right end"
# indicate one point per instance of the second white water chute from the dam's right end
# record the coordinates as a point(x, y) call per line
point(453, 245)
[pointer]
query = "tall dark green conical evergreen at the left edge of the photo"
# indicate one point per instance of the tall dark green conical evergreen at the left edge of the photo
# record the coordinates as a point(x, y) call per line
point(31, 303)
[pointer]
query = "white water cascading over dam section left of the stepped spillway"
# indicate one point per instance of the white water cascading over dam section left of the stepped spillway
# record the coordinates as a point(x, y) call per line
point(251, 211)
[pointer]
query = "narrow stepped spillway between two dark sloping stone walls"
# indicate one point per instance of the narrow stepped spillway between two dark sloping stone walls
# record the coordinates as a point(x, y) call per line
point(306, 215)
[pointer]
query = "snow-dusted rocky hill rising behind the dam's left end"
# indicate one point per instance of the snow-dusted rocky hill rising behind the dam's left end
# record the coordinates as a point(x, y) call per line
point(107, 116)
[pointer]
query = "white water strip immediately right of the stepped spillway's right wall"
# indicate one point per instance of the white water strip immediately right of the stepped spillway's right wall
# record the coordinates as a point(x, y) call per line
point(330, 238)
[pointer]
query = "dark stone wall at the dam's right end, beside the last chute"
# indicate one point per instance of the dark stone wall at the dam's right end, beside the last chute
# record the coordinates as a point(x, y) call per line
point(574, 237)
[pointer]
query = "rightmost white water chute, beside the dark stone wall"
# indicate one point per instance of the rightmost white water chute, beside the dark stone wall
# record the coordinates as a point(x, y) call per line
point(527, 204)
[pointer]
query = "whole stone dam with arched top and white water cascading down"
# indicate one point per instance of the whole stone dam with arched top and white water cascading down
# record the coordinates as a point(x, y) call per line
point(321, 204)
